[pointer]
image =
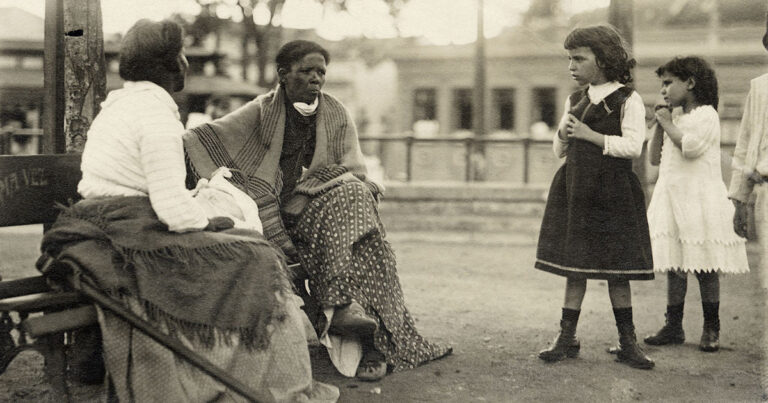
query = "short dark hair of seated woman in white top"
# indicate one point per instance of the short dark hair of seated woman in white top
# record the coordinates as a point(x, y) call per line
point(150, 50)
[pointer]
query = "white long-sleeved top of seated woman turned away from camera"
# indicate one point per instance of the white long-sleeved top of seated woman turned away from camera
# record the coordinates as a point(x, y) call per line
point(134, 148)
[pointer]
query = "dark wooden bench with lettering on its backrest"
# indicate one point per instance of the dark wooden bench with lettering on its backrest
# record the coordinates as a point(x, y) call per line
point(33, 314)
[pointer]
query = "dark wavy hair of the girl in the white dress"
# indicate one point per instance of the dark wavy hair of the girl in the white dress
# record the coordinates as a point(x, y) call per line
point(705, 87)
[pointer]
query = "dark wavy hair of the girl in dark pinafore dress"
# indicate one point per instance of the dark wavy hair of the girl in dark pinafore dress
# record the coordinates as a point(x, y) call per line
point(609, 48)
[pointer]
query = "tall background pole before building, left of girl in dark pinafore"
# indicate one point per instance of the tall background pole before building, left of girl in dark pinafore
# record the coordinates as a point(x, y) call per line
point(478, 107)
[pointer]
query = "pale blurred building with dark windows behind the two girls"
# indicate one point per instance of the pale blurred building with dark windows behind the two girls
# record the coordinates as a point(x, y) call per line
point(527, 82)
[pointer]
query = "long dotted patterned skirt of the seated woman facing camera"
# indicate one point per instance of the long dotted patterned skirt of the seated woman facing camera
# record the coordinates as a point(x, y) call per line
point(341, 245)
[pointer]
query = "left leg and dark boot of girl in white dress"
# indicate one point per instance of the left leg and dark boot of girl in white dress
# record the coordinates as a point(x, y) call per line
point(672, 332)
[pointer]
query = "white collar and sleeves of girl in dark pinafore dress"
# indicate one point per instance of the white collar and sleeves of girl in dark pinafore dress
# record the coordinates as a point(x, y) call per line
point(630, 143)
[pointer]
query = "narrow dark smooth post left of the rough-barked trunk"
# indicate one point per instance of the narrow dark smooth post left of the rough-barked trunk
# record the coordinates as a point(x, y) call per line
point(53, 116)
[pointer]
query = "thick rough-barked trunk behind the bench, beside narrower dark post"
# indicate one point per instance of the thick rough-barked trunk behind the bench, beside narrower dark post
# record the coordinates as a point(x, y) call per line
point(85, 81)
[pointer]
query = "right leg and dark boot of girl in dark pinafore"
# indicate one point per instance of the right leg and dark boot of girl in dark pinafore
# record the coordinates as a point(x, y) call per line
point(629, 351)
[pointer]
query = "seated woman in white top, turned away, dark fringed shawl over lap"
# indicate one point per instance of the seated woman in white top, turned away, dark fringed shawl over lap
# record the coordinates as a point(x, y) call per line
point(143, 238)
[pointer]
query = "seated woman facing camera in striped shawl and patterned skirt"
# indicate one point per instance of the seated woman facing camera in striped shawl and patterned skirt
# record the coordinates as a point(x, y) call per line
point(296, 153)
